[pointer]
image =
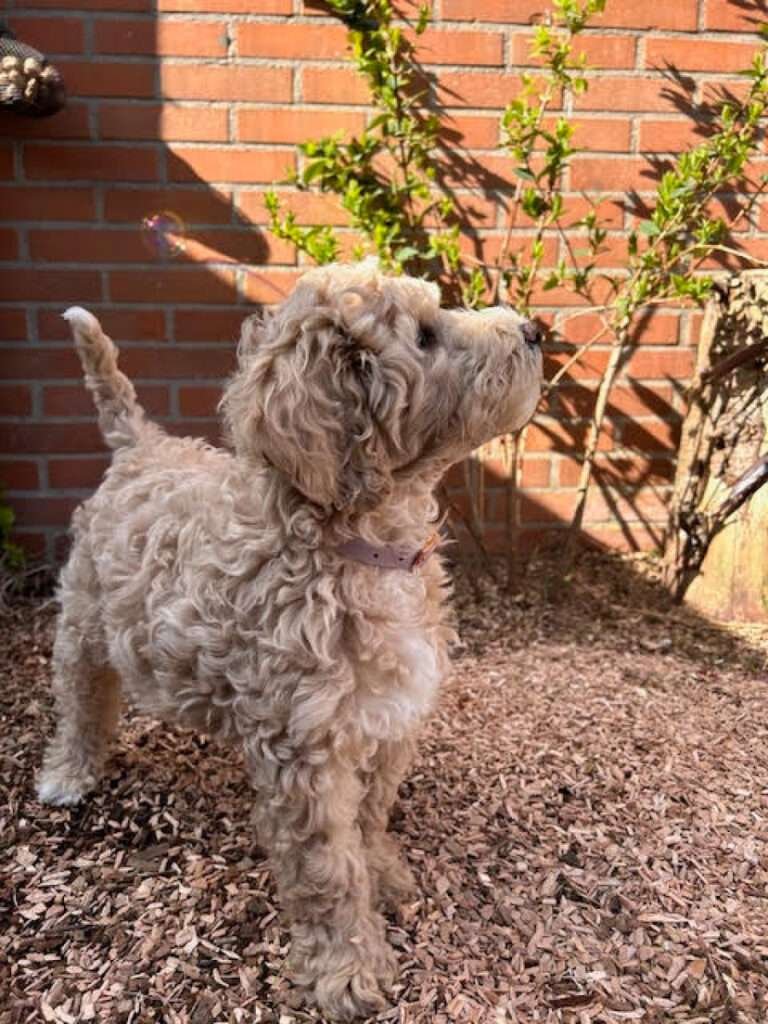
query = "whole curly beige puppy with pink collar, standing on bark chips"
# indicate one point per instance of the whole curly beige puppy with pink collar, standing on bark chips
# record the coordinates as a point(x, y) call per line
point(282, 596)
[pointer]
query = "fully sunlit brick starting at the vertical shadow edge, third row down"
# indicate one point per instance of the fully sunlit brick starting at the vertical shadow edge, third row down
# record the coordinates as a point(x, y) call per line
point(241, 84)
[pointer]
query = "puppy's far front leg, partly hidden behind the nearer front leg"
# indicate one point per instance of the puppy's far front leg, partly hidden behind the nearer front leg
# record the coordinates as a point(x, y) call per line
point(392, 877)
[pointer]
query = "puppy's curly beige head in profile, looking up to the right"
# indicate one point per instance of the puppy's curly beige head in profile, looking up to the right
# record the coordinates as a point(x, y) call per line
point(360, 379)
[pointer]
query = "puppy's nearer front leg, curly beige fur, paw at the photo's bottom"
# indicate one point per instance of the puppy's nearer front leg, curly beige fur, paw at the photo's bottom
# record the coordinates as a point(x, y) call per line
point(310, 824)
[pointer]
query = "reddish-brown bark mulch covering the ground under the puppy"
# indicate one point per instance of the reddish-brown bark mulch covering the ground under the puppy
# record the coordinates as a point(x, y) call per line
point(587, 820)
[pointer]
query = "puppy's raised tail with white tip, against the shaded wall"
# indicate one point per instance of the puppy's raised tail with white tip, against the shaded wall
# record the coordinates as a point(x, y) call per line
point(120, 416)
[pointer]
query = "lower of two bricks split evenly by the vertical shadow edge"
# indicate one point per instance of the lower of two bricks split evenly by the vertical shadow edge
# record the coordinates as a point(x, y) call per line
point(188, 124)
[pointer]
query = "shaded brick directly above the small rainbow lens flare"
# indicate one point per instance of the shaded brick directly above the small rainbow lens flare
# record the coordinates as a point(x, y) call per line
point(193, 206)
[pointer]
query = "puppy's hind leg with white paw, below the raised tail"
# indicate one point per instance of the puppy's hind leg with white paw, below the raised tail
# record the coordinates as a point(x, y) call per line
point(88, 694)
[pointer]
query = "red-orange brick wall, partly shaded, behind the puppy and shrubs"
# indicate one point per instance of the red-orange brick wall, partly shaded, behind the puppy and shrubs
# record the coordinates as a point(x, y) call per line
point(193, 108)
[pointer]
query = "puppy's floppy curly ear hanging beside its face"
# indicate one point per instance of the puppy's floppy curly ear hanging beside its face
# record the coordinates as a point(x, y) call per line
point(306, 399)
